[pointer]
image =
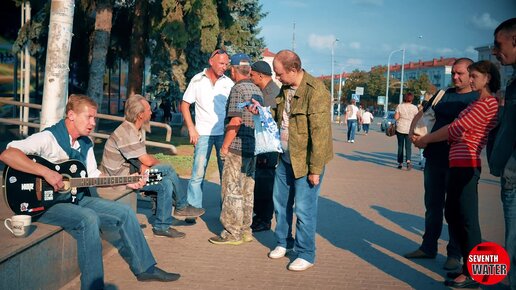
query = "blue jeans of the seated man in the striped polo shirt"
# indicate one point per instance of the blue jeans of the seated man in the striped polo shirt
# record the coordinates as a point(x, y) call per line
point(169, 187)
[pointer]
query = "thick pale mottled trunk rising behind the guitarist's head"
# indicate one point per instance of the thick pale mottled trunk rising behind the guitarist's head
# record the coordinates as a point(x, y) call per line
point(55, 87)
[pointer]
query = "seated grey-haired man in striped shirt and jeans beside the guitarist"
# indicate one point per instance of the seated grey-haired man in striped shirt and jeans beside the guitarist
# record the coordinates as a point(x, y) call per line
point(125, 151)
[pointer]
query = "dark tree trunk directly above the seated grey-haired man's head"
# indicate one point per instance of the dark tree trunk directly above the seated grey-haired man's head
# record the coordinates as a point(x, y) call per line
point(137, 48)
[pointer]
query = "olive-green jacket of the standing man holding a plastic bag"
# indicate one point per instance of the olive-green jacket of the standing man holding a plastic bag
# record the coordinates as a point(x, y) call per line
point(310, 137)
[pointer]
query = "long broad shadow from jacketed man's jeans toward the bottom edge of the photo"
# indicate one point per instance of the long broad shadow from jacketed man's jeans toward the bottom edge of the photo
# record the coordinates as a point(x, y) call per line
point(348, 229)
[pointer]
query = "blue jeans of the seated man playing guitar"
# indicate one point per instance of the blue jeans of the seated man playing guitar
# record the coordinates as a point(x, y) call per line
point(84, 223)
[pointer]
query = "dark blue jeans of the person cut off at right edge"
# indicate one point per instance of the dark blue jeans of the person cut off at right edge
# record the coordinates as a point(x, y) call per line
point(509, 211)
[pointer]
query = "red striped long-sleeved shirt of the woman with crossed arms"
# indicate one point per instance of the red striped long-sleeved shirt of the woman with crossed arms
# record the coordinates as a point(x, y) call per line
point(468, 134)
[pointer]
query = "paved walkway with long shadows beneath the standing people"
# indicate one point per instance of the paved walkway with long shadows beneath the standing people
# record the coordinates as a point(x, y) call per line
point(370, 214)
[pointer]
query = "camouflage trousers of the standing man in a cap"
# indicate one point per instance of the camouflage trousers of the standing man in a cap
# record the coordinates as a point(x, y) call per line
point(237, 196)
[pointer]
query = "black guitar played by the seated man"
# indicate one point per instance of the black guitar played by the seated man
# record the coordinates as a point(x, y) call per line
point(32, 195)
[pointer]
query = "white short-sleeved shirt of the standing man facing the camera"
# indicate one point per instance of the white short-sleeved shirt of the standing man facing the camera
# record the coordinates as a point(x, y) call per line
point(210, 102)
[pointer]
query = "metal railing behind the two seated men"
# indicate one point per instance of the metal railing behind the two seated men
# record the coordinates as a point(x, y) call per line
point(172, 148)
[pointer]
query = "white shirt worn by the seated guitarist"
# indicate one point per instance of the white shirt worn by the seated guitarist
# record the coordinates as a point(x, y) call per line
point(45, 145)
